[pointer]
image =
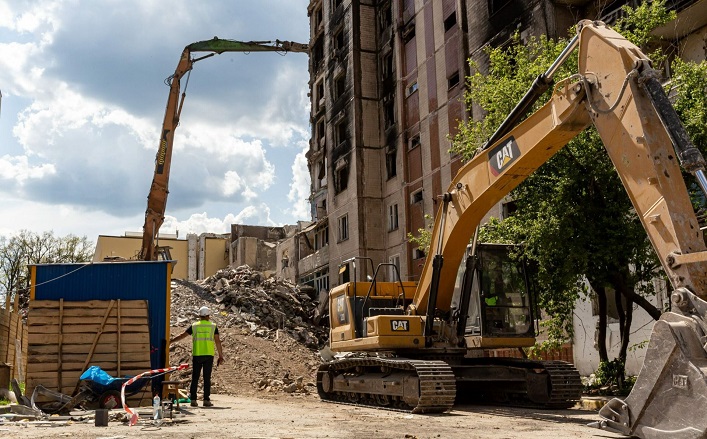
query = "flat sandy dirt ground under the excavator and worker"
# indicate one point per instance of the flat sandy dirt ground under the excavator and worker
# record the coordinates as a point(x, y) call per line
point(284, 416)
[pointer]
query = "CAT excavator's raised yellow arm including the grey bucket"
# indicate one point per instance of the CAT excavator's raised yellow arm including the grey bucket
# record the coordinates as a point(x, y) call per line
point(618, 92)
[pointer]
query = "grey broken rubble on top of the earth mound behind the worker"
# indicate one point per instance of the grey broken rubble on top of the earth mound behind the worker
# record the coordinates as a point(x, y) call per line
point(244, 298)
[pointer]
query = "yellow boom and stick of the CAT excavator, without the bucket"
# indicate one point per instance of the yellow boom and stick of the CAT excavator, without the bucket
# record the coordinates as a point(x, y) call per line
point(617, 91)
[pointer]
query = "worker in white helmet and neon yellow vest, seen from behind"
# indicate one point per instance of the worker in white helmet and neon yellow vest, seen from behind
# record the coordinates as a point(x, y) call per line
point(204, 336)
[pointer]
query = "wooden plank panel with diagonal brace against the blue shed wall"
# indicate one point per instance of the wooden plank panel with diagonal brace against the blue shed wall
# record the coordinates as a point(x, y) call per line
point(65, 338)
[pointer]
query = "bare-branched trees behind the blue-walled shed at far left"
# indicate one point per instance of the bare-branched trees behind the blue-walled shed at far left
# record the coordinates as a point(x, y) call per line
point(25, 248)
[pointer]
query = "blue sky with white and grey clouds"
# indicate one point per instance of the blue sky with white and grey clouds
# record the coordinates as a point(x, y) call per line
point(83, 98)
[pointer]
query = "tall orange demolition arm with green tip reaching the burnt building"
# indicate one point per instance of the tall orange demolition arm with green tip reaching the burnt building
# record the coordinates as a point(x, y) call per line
point(157, 198)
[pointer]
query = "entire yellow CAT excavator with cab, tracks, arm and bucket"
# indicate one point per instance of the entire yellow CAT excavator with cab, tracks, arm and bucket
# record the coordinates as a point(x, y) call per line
point(415, 346)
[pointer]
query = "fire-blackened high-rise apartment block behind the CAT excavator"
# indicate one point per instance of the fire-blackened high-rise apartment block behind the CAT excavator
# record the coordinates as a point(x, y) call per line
point(386, 88)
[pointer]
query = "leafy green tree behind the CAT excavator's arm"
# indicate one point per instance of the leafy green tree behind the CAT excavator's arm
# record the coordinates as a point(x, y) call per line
point(573, 214)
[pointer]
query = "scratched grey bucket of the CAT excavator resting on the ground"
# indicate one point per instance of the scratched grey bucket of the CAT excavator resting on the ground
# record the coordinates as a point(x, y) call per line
point(669, 399)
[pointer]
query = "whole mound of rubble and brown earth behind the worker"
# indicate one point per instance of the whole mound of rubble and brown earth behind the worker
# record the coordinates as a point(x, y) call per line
point(265, 326)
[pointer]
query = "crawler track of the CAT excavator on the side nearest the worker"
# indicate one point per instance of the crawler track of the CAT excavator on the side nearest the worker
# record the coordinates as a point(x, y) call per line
point(418, 386)
